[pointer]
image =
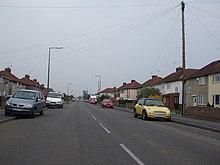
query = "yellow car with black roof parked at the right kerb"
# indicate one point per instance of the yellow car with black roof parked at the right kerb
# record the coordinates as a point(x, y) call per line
point(151, 108)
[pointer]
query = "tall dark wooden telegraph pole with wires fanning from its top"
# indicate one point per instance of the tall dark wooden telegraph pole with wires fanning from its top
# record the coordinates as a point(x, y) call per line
point(183, 58)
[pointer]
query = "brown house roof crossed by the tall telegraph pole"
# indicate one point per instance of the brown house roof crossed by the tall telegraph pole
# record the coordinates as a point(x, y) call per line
point(178, 75)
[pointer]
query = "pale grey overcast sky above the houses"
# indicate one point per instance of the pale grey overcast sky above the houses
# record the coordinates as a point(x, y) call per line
point(117, 39)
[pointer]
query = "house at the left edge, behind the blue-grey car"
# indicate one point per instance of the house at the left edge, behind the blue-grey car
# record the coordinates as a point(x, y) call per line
point(9, 83)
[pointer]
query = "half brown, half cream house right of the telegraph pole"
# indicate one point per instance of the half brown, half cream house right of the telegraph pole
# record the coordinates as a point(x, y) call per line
point(203, 87)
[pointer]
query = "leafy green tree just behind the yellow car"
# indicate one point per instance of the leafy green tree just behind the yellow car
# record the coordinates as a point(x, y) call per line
point(149, 92)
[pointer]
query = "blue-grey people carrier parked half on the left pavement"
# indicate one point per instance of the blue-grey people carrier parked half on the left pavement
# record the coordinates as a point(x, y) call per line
point(25, 102)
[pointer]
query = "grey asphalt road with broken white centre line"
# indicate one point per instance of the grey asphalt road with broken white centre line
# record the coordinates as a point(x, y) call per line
point(81, 133)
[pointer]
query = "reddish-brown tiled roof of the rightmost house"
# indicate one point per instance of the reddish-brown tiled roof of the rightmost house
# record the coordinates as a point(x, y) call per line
point(211, 68)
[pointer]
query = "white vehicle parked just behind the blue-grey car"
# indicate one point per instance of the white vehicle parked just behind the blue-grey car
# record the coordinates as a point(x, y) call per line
point(55, 99)
